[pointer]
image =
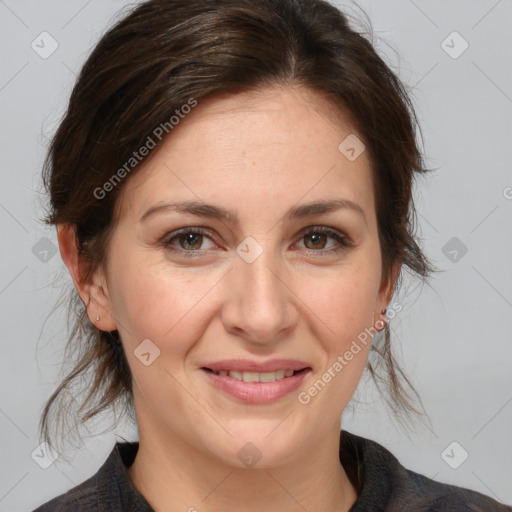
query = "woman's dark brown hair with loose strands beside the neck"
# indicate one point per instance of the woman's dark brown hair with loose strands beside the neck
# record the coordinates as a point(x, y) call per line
point(150, 64)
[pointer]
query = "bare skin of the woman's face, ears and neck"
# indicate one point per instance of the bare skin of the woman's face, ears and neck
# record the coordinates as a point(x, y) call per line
point(258, 154)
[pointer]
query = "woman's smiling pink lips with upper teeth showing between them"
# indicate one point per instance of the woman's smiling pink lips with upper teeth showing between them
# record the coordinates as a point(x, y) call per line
point(257, 383)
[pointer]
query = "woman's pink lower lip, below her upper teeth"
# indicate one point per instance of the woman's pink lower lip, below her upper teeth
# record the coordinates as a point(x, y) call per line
point(257, 392)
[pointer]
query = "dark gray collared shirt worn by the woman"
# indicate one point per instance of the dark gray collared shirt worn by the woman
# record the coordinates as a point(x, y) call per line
point(382, 483)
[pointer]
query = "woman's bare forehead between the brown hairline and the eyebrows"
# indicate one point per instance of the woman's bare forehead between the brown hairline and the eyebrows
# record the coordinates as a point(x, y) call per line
point(277, 143)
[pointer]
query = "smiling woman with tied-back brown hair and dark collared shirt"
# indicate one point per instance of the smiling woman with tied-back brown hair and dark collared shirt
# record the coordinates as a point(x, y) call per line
point(231, 187)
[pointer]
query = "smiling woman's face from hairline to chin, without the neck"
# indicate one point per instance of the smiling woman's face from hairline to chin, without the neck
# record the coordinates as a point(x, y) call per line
point(243, 271)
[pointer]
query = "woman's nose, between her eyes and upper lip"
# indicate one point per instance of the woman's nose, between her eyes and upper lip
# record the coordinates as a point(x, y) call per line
point(259, 304)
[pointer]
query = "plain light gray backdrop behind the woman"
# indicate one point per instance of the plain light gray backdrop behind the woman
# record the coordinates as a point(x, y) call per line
point(455, 336)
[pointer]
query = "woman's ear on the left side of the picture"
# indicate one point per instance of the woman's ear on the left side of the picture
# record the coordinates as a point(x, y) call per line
point(93, 291)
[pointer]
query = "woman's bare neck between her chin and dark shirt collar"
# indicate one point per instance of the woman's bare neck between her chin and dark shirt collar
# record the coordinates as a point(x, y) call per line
point(174, 476)
